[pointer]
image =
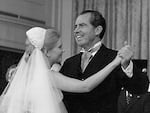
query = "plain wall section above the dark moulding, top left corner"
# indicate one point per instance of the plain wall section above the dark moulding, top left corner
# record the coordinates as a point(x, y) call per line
point(29, 8)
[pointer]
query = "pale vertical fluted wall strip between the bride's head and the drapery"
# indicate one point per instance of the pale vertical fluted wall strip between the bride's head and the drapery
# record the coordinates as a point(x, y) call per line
point(59, 15)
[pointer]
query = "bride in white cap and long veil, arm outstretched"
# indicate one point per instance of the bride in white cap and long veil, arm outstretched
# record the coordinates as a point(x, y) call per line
point(34, 88)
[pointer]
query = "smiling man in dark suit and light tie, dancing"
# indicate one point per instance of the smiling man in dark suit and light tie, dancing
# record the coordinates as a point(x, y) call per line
point(89, 30)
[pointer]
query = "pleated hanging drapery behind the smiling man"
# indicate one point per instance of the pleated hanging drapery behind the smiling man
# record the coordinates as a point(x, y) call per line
point(127, 20)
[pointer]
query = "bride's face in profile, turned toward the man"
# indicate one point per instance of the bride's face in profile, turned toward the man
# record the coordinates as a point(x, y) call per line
point(55, 54)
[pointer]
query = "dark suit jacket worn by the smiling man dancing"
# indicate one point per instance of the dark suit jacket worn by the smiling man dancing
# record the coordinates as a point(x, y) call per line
point(103, 99)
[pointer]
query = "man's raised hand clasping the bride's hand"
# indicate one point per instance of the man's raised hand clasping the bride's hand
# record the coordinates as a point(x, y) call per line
point(126, 54)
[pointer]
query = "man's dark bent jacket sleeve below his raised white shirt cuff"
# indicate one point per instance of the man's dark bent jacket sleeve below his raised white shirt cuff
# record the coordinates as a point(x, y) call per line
point(138, 83)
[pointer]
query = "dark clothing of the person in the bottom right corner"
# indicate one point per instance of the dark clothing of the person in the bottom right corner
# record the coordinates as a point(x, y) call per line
point(138, 103)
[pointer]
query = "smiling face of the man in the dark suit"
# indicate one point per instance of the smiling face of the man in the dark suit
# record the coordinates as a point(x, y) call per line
point(84, 32)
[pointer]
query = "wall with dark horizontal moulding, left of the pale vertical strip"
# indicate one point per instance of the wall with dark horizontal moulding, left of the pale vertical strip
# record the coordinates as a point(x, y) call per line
point(16, 16)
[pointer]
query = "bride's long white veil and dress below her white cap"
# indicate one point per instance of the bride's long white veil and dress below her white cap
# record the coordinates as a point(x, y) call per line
point(32, 88)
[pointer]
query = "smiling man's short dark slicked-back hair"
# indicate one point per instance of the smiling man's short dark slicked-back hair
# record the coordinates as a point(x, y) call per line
point(96, 20)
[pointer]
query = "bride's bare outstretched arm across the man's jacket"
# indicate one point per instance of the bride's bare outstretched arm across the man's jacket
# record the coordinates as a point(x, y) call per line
point(74, 85)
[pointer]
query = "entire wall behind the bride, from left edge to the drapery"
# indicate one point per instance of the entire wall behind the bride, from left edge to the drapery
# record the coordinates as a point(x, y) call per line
point(16, 16)
